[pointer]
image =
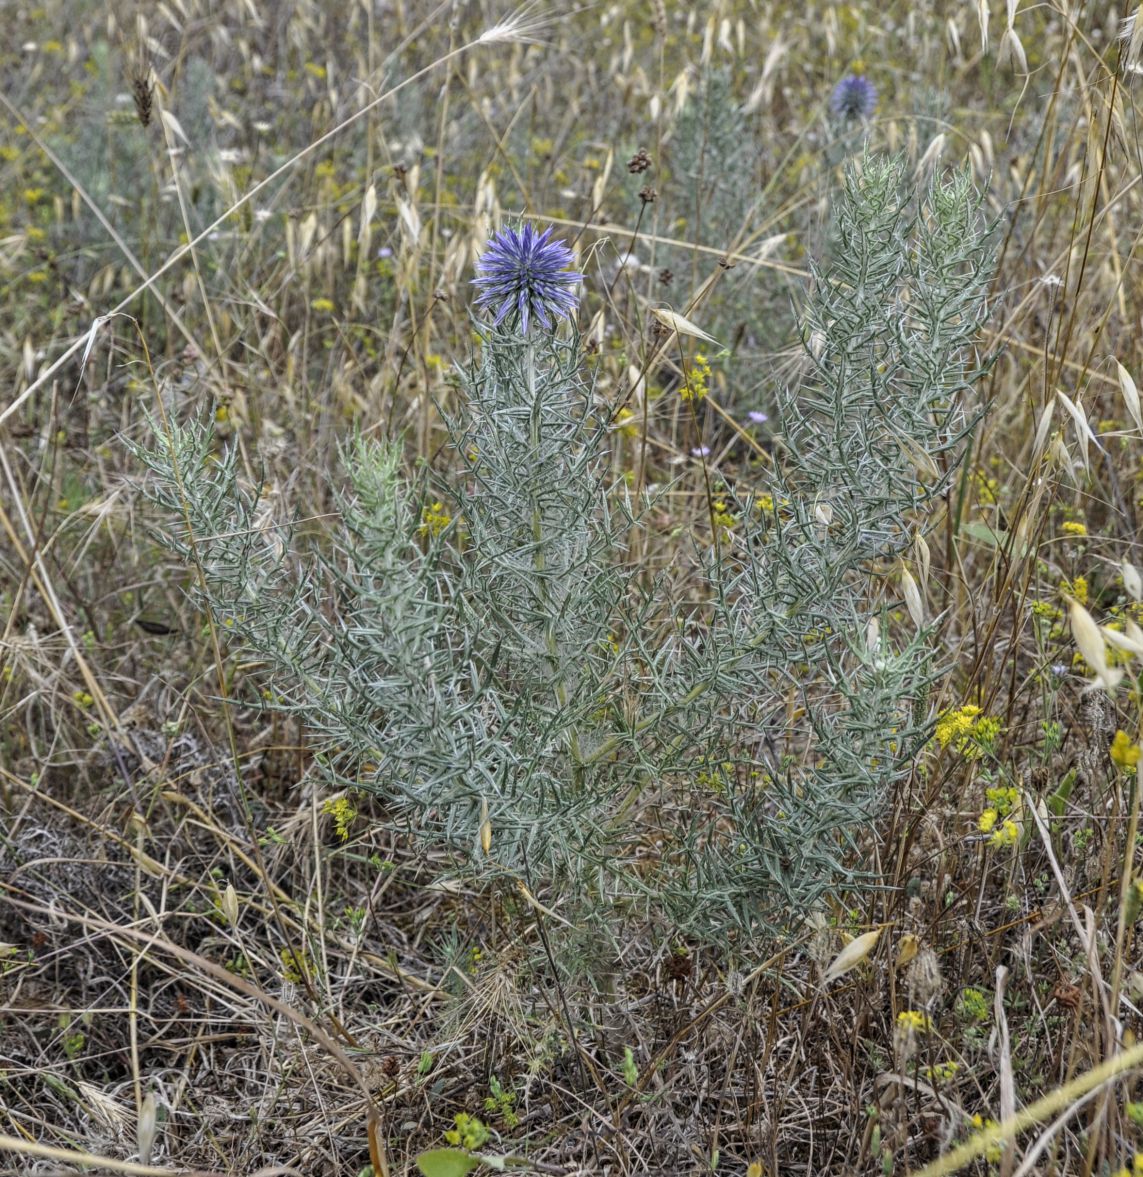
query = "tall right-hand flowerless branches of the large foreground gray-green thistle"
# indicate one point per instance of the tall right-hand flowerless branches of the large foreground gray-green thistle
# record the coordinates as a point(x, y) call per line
point(872, 435)
